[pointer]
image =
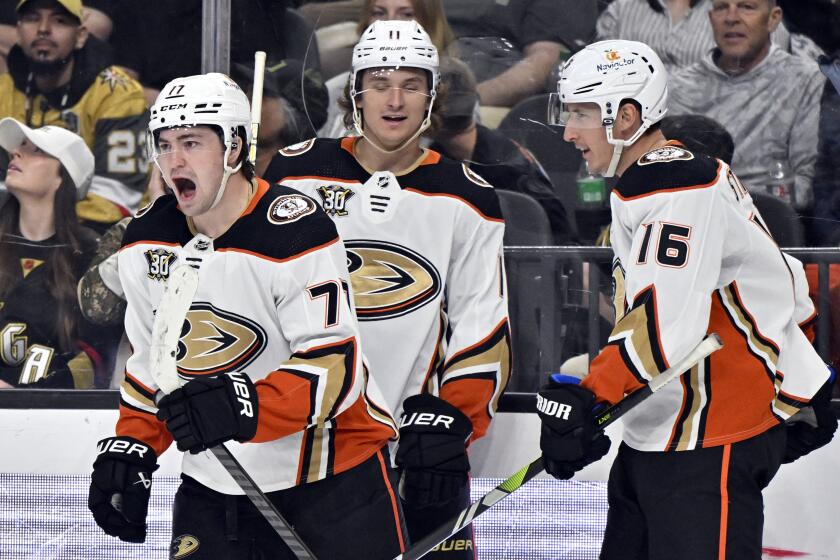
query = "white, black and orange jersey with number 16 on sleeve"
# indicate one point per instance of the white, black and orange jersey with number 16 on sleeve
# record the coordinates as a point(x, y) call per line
point(693, 256)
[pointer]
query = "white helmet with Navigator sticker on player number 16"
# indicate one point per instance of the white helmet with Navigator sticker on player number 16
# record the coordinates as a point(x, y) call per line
point(608, 73)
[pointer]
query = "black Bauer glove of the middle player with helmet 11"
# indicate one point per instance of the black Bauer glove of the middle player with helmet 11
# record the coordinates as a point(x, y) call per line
point(432, 453)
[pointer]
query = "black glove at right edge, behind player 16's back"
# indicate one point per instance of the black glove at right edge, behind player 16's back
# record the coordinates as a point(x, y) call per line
point(813, 426)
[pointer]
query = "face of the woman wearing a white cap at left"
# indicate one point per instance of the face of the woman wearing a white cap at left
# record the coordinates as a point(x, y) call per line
point(32, 172)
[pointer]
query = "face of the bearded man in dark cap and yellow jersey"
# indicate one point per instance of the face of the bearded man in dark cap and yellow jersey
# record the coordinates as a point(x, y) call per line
point(47, 33)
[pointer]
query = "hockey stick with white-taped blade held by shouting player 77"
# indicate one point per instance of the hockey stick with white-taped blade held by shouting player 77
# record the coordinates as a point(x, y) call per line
point(166, 331)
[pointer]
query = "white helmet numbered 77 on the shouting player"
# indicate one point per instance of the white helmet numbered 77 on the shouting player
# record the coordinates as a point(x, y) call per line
point(211, 99)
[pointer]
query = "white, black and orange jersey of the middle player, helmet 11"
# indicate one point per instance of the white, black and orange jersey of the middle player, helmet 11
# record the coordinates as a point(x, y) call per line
point(424, 250)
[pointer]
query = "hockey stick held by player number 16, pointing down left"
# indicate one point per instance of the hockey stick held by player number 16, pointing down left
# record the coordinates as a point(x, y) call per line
point(519, 478)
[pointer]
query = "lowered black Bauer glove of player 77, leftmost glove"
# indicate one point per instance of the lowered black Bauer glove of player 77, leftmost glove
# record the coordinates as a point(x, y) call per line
point(120, 487)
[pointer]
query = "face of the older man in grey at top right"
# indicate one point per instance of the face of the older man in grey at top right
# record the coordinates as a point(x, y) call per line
point(742, 28)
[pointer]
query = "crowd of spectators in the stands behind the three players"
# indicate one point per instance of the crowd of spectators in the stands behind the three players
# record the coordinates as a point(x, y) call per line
point(754, 82)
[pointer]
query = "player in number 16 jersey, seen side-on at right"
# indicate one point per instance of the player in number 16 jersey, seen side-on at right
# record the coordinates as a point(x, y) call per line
point(692, 256)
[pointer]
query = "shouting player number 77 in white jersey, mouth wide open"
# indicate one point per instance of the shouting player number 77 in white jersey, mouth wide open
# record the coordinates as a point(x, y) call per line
point(269, 351)
